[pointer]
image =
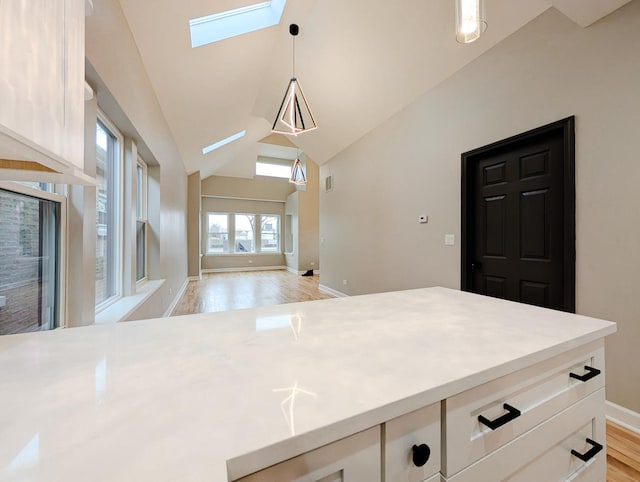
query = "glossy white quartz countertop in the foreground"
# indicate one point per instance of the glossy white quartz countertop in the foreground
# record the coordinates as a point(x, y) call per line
point(190, 398)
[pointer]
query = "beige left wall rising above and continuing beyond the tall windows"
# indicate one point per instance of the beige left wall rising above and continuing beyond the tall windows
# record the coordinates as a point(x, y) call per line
point(132, 105)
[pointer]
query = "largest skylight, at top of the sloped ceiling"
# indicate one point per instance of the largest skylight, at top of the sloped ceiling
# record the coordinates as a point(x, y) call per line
point(230, 23)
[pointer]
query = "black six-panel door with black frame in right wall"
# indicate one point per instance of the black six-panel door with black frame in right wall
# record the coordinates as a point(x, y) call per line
point(520, 219)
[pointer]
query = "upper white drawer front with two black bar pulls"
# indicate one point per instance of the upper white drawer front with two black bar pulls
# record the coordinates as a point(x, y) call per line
point(537, 393)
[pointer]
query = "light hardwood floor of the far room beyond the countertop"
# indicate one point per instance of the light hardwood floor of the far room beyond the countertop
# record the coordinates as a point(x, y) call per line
point(231, 291)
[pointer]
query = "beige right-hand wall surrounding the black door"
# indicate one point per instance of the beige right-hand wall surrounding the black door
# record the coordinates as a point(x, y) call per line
point(410, 165)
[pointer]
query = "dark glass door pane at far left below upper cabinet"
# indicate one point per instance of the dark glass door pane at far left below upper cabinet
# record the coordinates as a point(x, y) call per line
point(29, 262)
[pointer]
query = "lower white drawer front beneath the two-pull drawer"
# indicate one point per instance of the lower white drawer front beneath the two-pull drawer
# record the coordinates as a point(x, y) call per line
point(545, 453)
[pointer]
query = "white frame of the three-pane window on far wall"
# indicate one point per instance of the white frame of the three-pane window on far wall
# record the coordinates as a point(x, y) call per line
point(231, 234)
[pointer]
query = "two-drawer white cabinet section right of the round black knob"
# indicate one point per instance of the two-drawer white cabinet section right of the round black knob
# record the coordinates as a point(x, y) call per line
point(524, 426)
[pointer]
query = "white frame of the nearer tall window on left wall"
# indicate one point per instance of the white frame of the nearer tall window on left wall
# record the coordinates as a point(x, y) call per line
point(118, 190)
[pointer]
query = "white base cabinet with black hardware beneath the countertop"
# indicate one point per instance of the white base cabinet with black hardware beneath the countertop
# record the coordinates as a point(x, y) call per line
point(553, 430)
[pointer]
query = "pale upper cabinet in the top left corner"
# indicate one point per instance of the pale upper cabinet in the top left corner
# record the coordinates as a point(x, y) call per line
point(42, 88)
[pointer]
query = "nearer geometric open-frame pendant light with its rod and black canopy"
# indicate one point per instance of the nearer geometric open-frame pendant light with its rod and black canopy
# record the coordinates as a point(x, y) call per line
point(294, 116)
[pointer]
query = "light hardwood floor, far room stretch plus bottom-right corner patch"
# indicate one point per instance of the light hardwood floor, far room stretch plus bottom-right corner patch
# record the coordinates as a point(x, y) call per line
point(230, 291)
